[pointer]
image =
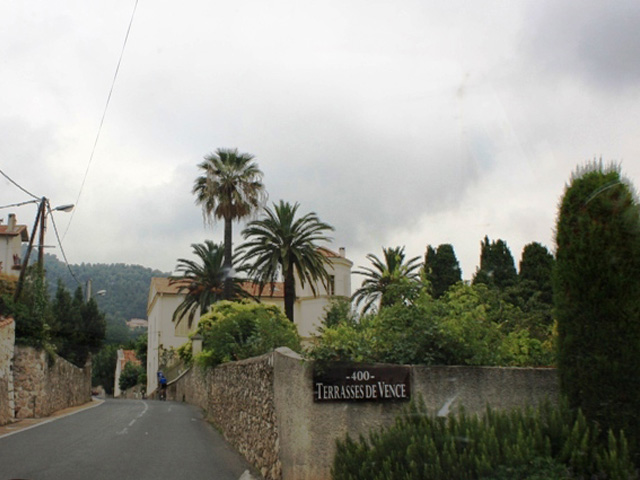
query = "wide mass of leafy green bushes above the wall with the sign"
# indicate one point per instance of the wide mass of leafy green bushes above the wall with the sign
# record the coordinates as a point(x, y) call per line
point(468, 325)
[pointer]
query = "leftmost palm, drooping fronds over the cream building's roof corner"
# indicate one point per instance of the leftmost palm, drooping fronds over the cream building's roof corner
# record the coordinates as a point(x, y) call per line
point(203, 281)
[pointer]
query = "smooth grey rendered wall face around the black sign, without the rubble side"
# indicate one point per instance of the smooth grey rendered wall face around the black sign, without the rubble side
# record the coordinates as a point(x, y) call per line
point(308, 430)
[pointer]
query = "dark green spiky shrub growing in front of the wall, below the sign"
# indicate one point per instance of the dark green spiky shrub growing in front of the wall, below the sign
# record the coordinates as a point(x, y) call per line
point(544, 443)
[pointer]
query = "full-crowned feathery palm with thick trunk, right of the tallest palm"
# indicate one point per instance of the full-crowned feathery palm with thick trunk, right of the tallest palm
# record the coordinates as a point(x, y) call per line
point(281, 243)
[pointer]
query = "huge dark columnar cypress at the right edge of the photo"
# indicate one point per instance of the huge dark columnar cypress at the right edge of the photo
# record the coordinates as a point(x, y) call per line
point(596, 284)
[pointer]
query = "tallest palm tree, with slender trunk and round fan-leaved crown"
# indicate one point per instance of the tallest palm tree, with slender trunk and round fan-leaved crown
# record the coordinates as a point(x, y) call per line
point(230, 188)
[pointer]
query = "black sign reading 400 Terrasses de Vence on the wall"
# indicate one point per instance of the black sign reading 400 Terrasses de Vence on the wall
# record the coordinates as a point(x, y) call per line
point(362, 383)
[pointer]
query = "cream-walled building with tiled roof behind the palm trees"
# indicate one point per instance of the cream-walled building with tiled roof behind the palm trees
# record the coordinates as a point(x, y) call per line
point(164, 298)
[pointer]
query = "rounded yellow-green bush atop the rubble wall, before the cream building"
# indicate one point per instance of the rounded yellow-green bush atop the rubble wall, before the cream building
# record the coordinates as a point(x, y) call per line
point(234, 331)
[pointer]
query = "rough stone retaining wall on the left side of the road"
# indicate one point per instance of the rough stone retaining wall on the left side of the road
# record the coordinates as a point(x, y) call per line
point(44, 384)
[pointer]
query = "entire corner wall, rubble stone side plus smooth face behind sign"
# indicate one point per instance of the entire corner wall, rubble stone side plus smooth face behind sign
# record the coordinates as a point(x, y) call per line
point(264, 406)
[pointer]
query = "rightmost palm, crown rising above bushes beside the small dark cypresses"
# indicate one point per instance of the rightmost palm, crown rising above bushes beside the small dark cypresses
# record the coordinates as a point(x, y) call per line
point(385, 282)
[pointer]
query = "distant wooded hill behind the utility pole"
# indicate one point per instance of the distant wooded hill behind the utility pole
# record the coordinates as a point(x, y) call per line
point(127, 286)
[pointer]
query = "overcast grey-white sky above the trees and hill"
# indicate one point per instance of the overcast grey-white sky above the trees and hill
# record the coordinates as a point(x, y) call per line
point(408, 122)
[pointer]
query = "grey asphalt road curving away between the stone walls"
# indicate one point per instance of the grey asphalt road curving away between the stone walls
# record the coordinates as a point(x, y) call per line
point(122, 439)
